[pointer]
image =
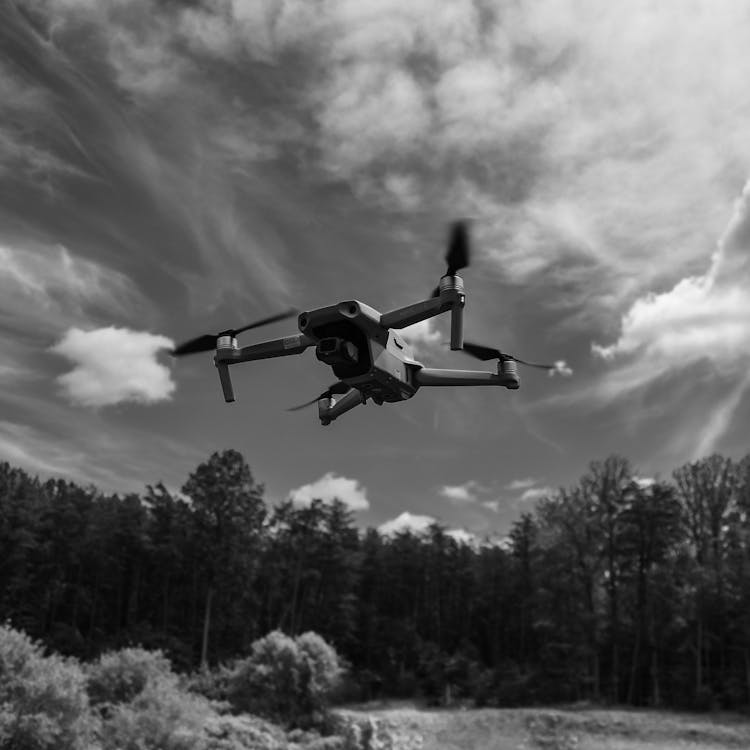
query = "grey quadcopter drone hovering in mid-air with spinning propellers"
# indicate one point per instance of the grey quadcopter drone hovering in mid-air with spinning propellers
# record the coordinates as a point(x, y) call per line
point(364, 349)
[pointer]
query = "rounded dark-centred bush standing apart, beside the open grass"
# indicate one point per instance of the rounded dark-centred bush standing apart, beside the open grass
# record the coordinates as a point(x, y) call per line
point(287, 680)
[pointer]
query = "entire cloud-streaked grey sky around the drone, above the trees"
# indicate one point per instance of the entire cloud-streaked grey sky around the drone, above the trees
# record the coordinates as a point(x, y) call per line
point(169, 169)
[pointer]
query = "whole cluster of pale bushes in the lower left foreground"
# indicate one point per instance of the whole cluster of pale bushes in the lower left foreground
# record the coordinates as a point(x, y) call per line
point(132, 700)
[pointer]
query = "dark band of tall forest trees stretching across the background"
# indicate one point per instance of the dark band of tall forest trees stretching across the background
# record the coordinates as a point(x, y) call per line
point(617, 589)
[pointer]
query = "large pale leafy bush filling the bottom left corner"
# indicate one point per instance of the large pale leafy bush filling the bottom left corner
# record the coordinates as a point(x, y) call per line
point(43, 702)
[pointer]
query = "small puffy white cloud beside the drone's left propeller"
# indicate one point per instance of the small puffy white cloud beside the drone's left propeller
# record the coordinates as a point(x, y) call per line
point(114, 365)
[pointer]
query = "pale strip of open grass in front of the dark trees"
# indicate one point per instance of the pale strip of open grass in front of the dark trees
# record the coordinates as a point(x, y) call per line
point(555, 729)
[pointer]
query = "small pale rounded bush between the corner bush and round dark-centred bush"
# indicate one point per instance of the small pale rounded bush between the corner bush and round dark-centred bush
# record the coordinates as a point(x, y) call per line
point(120, 676)
